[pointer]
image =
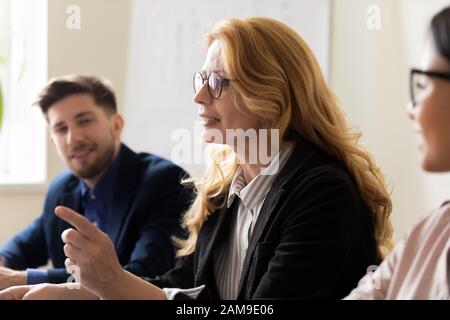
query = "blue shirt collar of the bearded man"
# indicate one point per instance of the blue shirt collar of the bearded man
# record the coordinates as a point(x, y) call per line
point(104, 188)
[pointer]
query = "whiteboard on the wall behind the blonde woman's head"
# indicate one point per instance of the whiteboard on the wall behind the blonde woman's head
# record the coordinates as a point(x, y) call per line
point(166, 49)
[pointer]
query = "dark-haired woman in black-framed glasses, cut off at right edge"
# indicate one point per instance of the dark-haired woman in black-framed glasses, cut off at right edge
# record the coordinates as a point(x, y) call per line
point(419, 266)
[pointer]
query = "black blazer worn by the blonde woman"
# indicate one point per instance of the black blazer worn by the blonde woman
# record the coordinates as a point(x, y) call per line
point(314, 237)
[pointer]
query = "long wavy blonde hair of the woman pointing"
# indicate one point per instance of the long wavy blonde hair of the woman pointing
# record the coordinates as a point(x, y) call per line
point(278, 79)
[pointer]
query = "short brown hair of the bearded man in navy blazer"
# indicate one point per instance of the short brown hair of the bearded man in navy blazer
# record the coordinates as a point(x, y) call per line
point(59, 88)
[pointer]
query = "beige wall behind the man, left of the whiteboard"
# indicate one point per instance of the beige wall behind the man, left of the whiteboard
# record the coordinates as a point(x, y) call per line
point(98, 48)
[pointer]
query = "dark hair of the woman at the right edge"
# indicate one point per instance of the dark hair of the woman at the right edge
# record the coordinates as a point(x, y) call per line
point(440, 31)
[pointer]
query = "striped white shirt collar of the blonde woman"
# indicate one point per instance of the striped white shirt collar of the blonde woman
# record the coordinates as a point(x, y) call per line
point(254, 192)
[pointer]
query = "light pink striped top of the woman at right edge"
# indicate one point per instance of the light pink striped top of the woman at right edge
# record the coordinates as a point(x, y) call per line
point(418, 267)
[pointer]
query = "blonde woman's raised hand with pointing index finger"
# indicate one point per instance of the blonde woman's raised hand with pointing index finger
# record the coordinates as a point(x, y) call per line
point(92, 261)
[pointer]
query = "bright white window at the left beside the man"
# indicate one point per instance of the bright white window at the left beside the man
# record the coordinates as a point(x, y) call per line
point(23, 73)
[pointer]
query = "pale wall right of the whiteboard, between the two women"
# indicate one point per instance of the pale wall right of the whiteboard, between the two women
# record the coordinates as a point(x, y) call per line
point(370, 75)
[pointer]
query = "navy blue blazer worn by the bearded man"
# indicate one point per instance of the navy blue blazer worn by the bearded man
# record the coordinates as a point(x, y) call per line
point(147, 207)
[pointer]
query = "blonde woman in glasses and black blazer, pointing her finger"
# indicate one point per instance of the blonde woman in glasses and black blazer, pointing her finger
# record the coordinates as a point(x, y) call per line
point(307, 225)
